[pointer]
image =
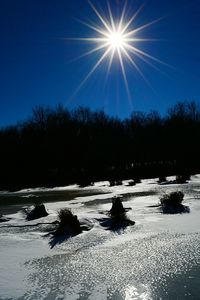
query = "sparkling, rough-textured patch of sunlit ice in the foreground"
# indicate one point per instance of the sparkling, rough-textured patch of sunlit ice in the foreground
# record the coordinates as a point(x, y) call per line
point(101, 258)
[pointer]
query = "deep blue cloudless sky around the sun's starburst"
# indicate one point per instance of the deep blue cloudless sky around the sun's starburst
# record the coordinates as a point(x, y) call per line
point(37, 67)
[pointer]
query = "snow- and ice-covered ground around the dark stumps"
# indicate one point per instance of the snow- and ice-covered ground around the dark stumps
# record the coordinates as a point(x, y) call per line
point(157, 258)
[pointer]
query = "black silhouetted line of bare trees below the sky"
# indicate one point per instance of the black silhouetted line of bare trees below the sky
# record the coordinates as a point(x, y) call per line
point(60, 147)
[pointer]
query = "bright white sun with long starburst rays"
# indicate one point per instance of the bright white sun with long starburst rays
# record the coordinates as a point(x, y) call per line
point(118, 38)
